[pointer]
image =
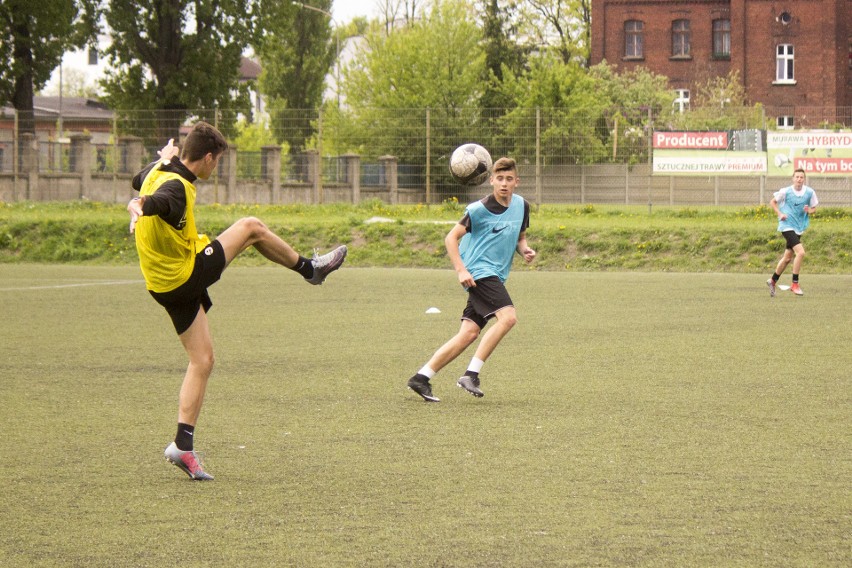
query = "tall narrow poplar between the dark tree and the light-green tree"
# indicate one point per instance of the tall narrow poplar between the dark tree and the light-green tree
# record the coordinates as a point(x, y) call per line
point(297, 51)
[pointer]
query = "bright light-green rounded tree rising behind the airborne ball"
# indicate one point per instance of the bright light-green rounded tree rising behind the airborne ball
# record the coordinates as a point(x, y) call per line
point(436, 63)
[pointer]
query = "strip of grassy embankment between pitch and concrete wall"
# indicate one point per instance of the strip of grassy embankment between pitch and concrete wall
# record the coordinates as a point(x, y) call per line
point(576, 238)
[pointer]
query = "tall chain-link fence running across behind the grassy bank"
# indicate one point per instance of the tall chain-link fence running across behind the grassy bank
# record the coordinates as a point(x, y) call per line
point(565, 155)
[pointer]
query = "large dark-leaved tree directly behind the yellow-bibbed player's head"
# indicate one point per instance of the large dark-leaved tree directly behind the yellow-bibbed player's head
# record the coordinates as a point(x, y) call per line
point(177, 56)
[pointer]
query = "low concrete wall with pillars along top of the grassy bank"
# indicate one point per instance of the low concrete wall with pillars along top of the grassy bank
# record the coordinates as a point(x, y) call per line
point(595, 184)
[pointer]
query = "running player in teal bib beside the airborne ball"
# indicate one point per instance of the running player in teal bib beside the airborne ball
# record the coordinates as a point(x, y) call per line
point(481, 247)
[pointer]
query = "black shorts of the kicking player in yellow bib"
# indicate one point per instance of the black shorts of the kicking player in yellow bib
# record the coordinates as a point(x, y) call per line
point(183, 302)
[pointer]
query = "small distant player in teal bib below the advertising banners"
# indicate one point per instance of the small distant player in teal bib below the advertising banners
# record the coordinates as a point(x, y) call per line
point(793, 205)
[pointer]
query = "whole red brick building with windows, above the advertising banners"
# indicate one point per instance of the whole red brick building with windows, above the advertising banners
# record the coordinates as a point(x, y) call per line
point(793, 56)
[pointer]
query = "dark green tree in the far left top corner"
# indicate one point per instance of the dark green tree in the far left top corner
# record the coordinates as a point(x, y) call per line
point(35, 35)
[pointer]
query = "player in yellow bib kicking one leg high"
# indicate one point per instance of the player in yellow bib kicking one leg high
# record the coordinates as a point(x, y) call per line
point(179, 264)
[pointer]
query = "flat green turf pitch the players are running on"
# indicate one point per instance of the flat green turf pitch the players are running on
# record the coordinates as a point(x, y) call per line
point(631, 419)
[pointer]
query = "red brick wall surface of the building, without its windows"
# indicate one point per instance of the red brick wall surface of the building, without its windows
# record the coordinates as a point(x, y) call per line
point(818, 29)
